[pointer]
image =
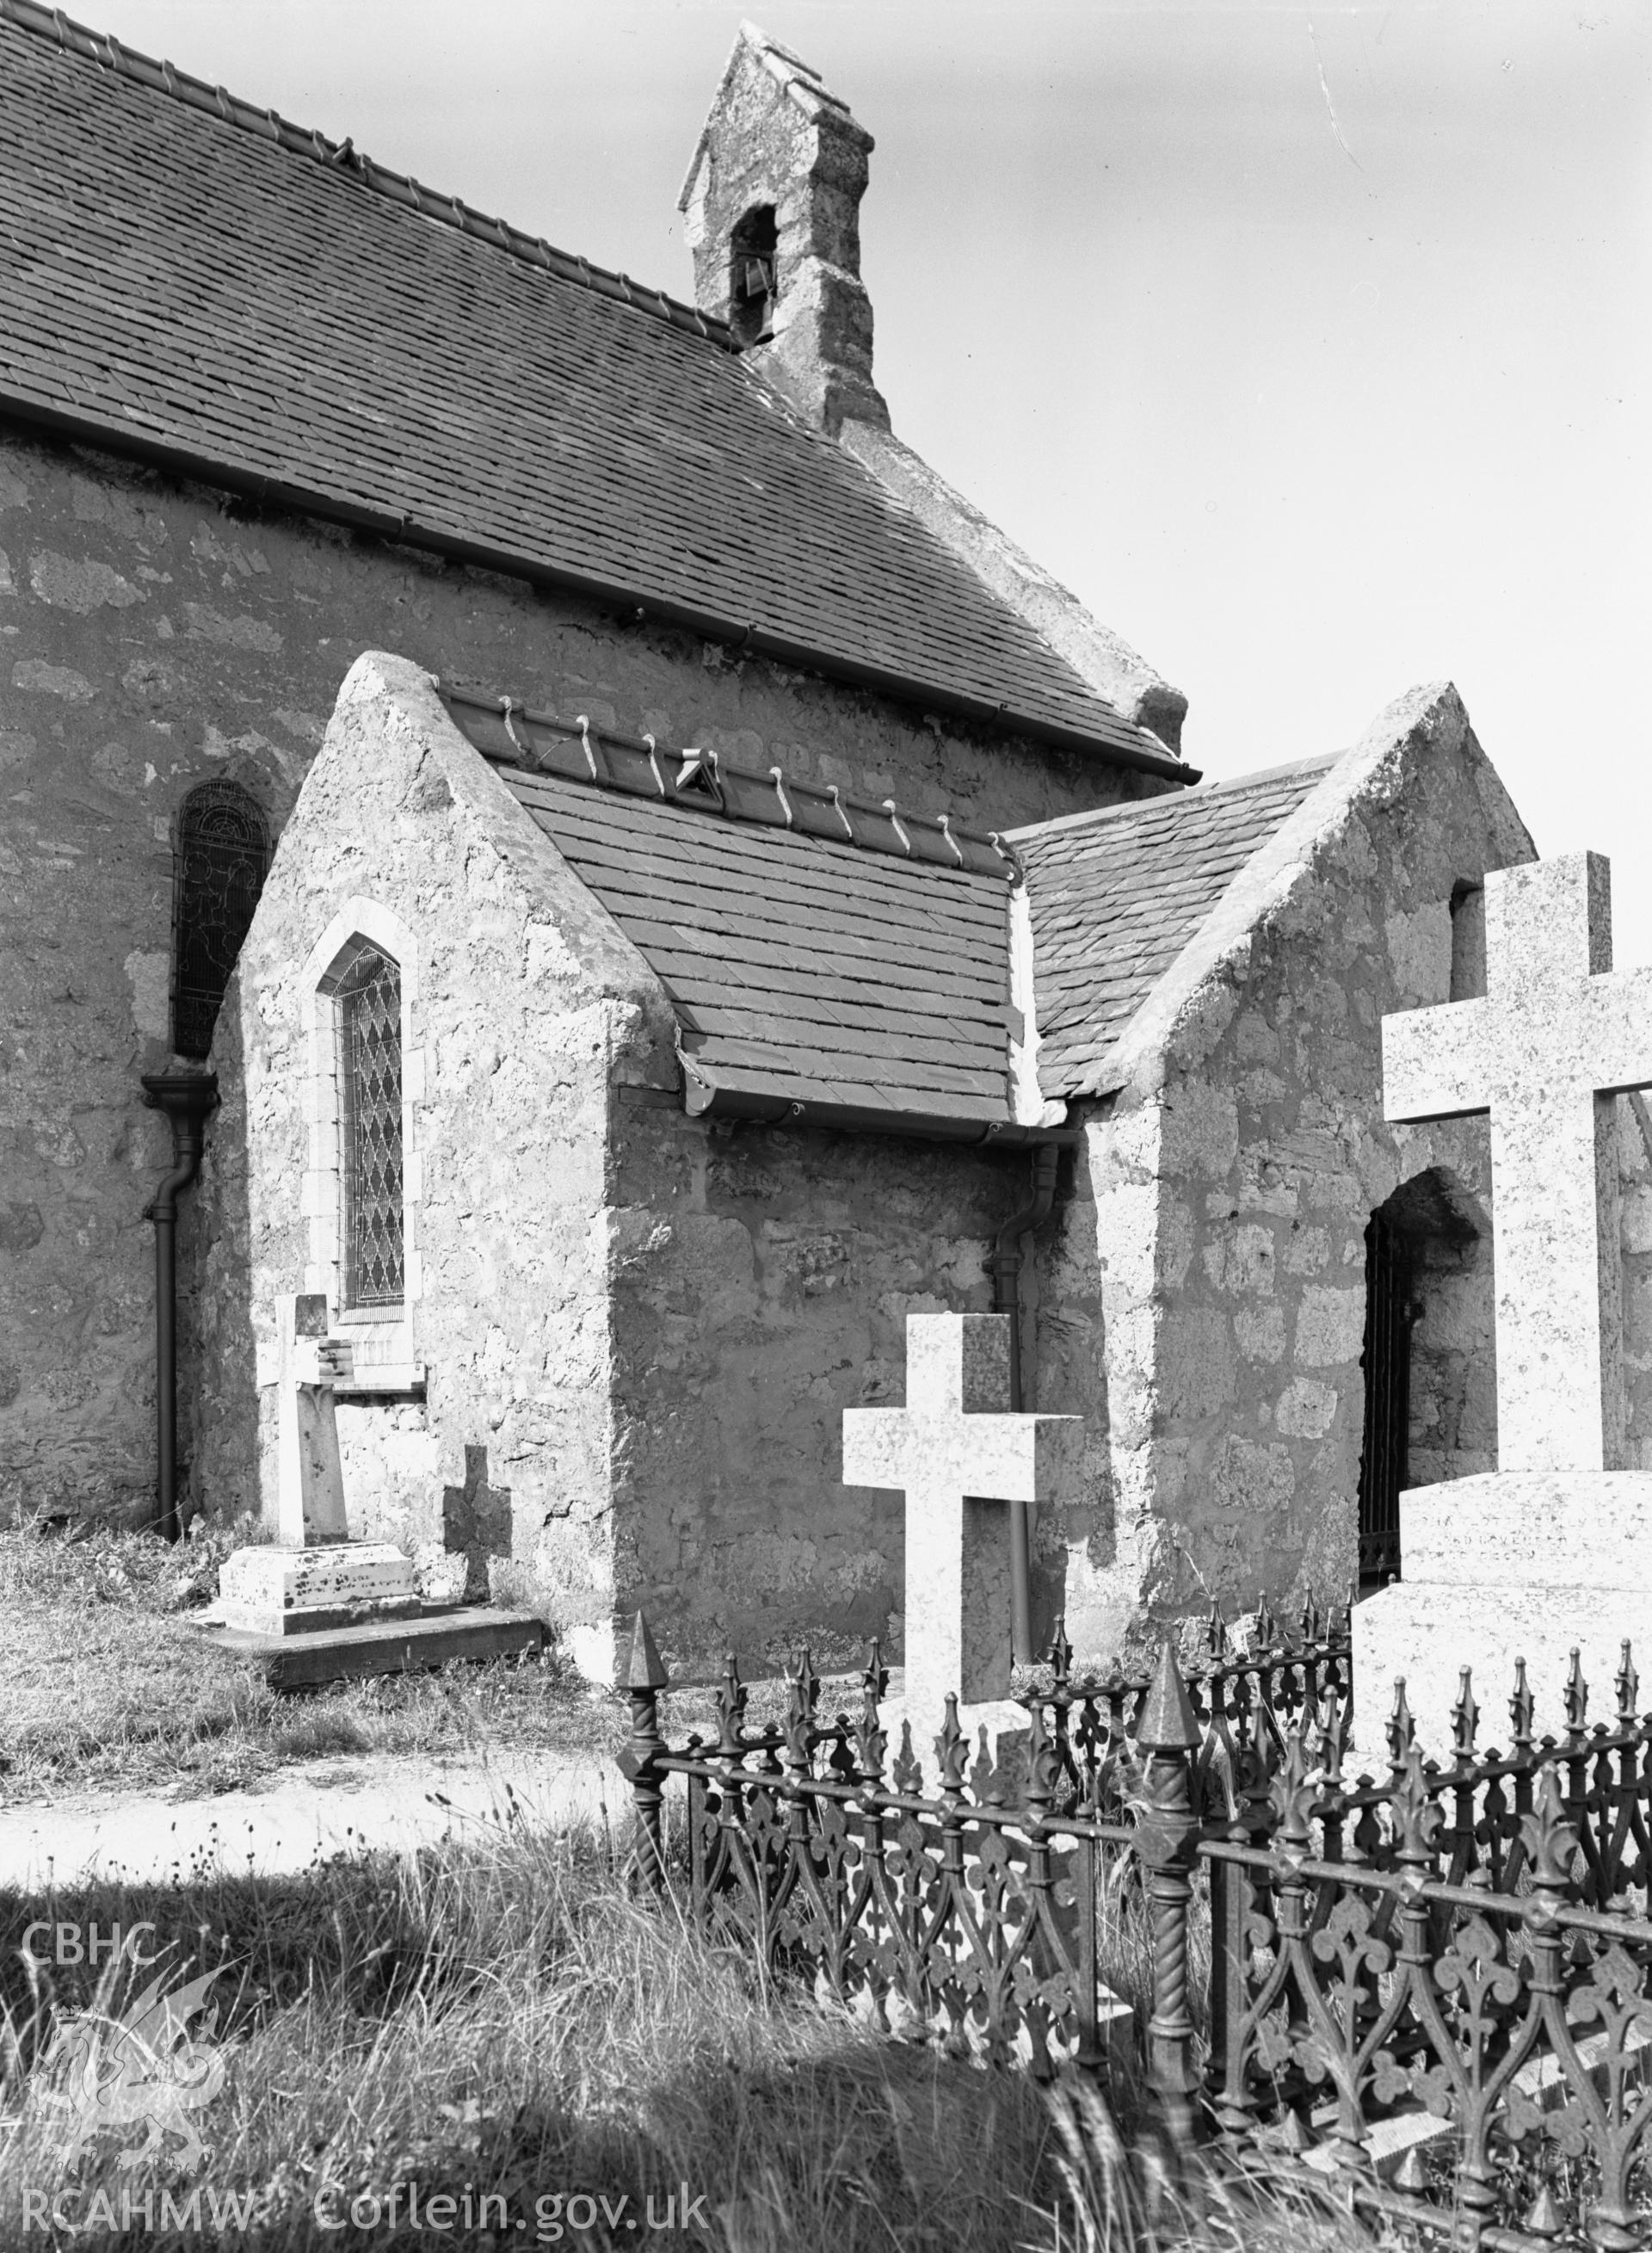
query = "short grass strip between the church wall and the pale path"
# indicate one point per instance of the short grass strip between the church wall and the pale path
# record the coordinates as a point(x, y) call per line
point(105, 1684)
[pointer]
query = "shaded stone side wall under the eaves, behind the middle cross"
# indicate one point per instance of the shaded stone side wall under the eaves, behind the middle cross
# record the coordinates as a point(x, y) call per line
point(763, 1285)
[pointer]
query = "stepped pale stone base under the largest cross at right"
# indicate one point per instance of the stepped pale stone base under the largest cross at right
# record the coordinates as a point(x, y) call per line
point(1502, 1567)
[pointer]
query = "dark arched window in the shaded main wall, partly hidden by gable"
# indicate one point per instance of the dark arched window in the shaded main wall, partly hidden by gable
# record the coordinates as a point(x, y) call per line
point(224, 853)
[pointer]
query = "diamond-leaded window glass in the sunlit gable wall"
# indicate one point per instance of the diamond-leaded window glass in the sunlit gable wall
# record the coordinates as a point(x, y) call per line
point(368, 1001)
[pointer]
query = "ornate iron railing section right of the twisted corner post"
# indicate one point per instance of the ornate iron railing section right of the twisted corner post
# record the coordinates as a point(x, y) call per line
point(1484, 2033)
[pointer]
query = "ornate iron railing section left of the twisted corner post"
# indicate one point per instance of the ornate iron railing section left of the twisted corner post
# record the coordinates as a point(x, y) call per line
point(963, 1916)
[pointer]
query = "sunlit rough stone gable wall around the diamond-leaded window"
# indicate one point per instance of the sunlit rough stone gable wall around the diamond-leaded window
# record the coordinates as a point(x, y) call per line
point(524, 1008)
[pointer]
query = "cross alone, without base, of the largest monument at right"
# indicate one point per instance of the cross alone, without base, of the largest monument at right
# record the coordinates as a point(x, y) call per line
point(1556, 1035)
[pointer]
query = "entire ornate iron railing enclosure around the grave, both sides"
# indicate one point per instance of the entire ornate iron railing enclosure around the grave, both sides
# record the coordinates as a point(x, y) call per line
point(1435, 1988)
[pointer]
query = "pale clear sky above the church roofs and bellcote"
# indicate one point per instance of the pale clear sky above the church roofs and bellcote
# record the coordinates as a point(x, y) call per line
point(1308, 346)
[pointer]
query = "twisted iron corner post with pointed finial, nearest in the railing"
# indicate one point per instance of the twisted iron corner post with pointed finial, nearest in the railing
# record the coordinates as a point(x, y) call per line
point(1169, 1736)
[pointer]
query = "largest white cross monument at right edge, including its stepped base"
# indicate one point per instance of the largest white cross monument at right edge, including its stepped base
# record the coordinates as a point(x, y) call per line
point(1554, 1549)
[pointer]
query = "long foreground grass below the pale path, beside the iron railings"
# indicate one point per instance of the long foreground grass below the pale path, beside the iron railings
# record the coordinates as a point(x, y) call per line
point(513, 2024)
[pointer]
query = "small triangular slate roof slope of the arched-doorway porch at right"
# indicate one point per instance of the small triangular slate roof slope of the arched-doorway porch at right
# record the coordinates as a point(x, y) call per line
point(1117, 896)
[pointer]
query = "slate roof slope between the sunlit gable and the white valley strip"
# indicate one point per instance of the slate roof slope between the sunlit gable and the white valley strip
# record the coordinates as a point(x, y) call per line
point(858, 983)
